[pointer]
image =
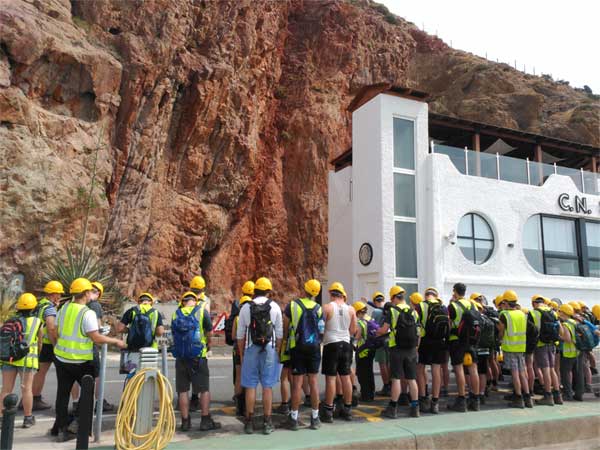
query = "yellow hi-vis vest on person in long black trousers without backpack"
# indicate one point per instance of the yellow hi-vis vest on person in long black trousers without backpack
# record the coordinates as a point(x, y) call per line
point(72, 343)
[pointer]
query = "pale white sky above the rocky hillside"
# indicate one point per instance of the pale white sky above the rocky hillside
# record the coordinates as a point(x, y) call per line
point(561, 38)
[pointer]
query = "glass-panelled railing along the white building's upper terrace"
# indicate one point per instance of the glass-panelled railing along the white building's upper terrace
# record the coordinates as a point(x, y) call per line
point(506, 168)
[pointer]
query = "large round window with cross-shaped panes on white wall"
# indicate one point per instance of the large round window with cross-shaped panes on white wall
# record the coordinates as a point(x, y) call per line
point(475, 238)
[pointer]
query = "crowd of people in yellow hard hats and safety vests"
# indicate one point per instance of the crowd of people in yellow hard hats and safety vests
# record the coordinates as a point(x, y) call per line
point(547, 349)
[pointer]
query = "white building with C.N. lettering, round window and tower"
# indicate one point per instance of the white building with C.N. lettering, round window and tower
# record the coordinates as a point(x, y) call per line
point(409, 205)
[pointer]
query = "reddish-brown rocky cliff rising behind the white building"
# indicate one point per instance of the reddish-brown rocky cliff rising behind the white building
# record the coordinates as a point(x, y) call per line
point(211, 125)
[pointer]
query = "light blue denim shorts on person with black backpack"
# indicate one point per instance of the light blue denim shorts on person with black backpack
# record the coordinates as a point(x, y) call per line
point(260, 365)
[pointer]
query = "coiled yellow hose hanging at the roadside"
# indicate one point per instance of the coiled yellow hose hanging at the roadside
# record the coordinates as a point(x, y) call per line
point(162, 433)
